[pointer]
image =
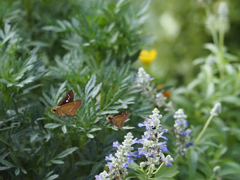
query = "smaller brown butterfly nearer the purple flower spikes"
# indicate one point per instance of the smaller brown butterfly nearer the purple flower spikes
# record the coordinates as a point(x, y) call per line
point(118, 119)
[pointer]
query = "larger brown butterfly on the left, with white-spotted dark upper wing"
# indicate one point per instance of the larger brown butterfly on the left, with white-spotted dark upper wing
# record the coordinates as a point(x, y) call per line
point(67, 107)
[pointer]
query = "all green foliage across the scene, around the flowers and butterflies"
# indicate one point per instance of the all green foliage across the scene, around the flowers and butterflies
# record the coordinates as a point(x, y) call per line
point(92, 47)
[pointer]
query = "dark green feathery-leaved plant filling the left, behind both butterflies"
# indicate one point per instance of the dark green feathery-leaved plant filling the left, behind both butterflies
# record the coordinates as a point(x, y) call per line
point(35, 142)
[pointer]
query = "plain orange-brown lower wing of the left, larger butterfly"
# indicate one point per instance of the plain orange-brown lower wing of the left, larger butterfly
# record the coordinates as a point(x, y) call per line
point(71, 108)
